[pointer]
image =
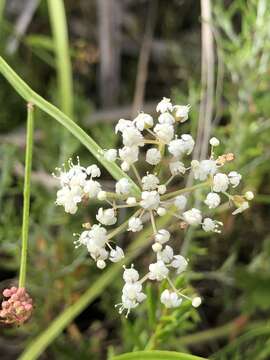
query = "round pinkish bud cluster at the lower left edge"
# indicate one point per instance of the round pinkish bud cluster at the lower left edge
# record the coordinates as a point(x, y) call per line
point(17, 307)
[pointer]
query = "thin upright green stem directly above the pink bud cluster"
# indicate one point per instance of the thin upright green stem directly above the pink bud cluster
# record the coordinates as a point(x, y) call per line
point(26, 193)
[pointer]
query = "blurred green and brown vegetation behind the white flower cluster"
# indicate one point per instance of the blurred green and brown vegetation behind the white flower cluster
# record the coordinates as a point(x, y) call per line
point(126, 55)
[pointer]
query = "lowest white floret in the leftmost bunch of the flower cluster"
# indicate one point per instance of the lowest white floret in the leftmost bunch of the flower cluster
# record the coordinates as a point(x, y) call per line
point(69, 198)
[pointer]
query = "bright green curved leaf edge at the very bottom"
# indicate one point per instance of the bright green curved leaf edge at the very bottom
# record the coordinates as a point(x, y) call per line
point(156, 355)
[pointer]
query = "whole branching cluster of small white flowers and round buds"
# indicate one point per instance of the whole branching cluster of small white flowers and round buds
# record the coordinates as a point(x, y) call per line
point(163, 149)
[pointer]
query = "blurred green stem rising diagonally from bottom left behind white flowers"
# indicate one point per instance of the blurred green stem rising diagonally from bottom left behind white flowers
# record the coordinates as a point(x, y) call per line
point(39, 344)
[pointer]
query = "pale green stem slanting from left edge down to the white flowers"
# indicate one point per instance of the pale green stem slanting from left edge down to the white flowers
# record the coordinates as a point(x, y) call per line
point(30, 96)
